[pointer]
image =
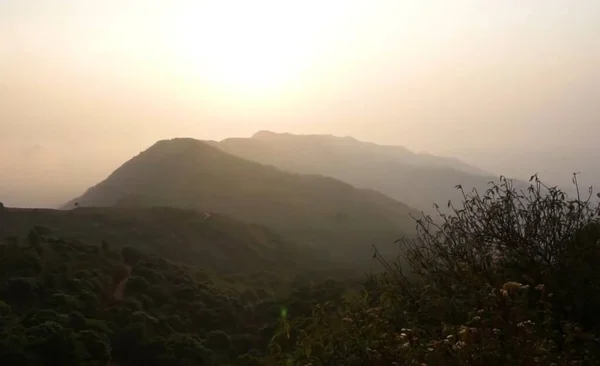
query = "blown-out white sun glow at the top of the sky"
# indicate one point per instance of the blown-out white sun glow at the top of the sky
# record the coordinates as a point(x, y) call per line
point(253, 47)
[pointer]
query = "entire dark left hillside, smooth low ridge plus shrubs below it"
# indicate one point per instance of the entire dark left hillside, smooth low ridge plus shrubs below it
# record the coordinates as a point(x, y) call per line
point(78, 302)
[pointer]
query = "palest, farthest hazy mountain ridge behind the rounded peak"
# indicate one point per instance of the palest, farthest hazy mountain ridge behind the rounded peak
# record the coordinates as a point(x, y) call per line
point(418, 180)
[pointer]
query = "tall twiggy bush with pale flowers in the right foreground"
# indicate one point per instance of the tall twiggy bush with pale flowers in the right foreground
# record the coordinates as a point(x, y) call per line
point(509, 279)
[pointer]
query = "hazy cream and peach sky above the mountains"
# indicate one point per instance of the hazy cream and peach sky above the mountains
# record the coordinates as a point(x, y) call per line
point(89, 83)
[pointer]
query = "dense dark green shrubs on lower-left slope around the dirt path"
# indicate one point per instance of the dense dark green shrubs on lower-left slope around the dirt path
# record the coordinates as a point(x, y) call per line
point(68, 303)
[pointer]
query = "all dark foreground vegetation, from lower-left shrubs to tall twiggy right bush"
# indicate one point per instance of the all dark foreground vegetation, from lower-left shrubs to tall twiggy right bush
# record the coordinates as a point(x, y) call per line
point(507, 279)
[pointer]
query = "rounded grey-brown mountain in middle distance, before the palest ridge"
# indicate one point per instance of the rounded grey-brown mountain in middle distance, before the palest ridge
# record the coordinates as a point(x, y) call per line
point(316, 210)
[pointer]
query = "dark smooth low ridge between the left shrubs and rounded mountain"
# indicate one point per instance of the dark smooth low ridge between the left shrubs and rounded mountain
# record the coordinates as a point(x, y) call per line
point(186, 236)
